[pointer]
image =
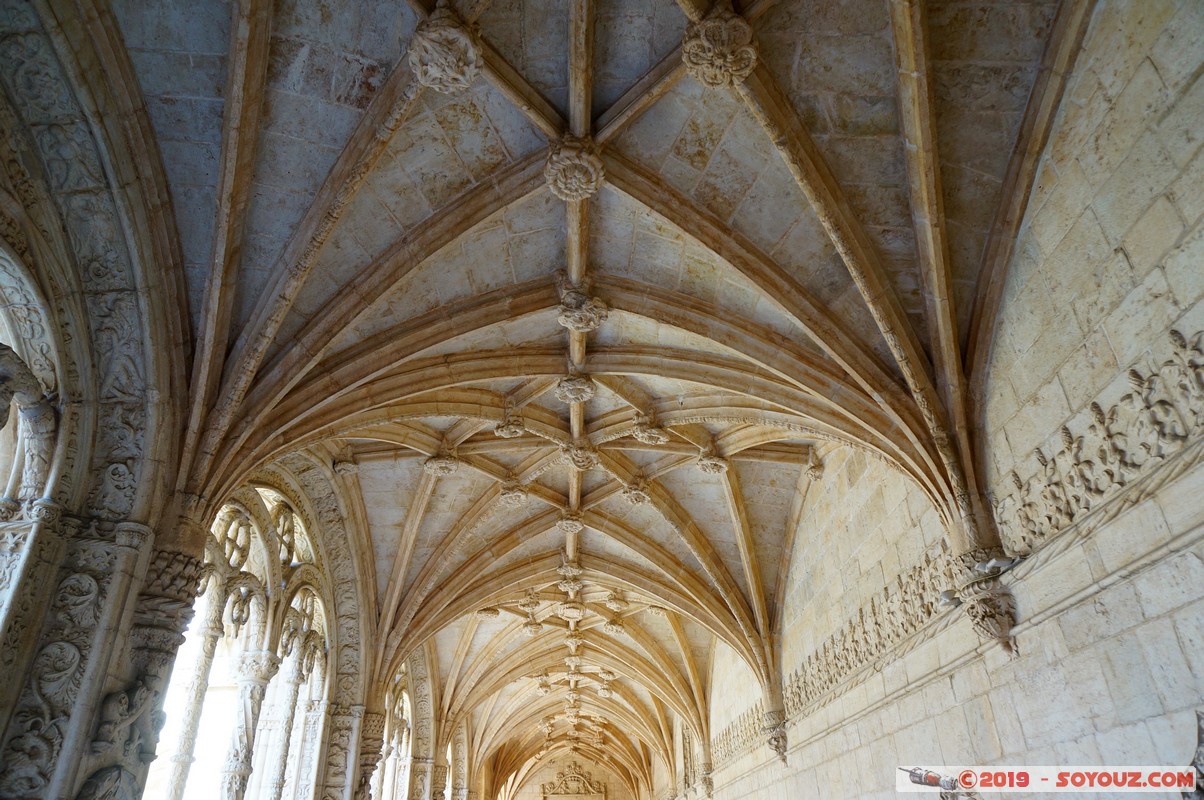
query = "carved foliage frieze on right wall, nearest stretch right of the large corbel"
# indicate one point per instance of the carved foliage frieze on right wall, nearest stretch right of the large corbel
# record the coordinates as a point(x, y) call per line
point(1156, 421)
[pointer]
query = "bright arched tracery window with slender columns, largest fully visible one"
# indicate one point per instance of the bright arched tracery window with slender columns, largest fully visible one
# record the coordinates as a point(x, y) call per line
point(247, 704)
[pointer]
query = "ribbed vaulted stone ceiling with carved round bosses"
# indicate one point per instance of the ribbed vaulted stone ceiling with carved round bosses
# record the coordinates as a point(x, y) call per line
point(588, 383)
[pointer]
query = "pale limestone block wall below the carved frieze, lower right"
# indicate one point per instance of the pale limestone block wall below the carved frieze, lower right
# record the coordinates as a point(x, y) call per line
point(1111, 672)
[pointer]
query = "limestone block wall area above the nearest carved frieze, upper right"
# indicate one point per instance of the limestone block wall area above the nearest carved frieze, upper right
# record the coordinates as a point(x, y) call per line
point(1111, 257)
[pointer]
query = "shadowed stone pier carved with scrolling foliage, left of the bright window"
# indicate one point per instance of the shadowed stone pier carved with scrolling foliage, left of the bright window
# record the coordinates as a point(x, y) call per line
point(52, 737)
